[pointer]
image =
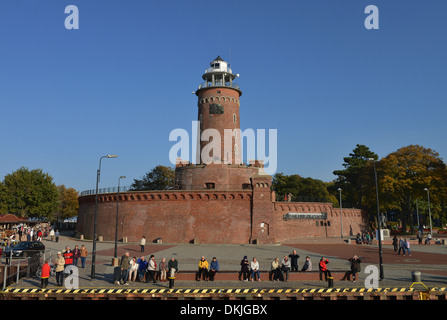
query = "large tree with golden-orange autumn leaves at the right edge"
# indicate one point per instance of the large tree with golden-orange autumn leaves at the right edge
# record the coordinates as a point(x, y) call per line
point(404, 174)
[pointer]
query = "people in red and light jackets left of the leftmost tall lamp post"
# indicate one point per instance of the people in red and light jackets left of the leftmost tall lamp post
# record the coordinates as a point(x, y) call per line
point(63, 260)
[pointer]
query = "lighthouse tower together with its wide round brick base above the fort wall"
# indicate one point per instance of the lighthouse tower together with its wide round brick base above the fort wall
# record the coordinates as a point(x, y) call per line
point(220, 166)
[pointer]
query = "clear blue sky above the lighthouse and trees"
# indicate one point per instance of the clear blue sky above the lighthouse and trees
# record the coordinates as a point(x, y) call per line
point(122, 81)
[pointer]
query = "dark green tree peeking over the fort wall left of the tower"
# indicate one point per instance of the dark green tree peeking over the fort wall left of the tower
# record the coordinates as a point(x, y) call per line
point(159, 178)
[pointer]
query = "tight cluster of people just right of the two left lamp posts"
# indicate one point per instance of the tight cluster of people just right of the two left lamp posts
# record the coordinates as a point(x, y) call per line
point(133, 269)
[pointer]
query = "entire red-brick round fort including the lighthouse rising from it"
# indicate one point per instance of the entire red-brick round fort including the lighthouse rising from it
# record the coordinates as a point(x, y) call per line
point(219, 199)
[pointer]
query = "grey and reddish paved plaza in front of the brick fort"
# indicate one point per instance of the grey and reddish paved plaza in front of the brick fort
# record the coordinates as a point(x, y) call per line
point(431, 261)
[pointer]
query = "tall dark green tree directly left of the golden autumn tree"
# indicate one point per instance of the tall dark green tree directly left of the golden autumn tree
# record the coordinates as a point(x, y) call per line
point(356, 179)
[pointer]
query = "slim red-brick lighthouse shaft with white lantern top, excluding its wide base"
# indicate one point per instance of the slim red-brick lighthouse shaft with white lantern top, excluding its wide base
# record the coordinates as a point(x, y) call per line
point(218, 114)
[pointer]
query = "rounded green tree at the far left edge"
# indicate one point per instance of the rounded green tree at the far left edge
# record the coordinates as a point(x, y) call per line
point(29, 193)
